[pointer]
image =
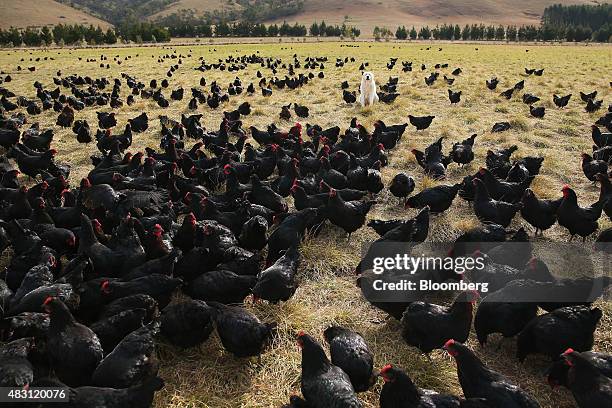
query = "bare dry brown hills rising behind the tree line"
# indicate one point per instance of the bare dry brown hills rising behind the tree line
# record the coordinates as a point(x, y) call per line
point(364, 14)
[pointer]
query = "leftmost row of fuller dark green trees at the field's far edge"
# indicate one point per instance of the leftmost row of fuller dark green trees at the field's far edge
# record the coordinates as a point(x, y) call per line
point(75, 34)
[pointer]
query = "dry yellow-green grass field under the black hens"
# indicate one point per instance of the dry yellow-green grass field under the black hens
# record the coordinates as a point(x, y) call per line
point(209, 377)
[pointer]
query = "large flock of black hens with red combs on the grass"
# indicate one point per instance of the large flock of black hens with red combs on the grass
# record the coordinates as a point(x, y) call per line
point(93, 270)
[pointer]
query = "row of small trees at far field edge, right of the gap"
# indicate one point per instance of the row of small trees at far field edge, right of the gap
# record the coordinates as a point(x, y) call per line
point(500, 33)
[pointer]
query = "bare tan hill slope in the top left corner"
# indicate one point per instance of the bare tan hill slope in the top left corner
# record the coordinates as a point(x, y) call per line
point(24, 13)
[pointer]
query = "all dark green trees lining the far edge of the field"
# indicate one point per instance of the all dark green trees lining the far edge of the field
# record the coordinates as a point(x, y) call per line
point(559, 23)
